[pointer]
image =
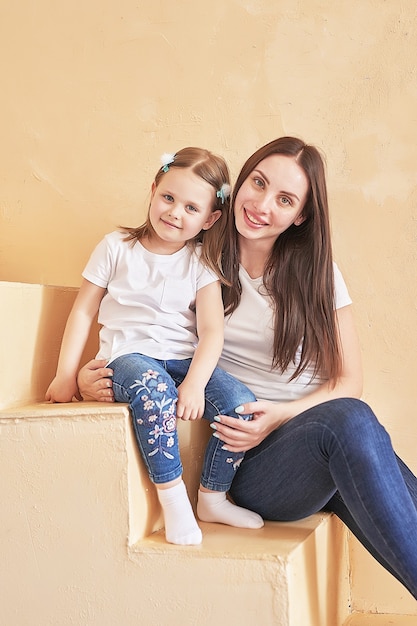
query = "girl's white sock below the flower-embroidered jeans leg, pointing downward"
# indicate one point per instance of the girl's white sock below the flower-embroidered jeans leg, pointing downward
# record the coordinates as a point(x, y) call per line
point(180, 524)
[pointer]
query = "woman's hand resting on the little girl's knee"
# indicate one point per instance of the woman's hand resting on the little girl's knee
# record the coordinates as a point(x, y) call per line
point(241, 435)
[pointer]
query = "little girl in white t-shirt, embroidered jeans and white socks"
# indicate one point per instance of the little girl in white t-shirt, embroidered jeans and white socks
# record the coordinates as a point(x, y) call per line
point(158, 293)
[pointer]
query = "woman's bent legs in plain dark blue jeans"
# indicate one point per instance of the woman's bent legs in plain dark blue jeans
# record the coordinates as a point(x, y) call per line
point(338, 446)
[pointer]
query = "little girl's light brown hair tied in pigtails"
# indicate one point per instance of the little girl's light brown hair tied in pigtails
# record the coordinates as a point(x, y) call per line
point(213, 170)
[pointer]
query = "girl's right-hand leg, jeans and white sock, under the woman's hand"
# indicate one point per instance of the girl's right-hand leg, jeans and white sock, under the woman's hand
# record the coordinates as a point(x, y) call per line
point(223, 394)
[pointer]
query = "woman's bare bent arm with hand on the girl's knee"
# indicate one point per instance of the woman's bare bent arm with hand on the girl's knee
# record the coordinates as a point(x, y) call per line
point(240, 435)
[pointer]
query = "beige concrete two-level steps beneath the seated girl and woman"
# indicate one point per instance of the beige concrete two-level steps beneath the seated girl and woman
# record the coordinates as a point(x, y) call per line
point(76, 504)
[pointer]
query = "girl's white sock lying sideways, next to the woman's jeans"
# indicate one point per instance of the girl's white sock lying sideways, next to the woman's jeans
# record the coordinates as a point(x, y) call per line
point(213, 506)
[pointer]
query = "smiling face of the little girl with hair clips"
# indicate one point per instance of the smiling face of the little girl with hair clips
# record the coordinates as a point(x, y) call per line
point(181, 206)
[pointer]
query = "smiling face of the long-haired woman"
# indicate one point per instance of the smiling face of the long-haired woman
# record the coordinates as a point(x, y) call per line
point(271, 199)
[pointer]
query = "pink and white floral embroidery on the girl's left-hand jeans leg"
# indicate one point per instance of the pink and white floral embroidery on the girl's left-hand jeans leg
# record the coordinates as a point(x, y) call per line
point(161, 412)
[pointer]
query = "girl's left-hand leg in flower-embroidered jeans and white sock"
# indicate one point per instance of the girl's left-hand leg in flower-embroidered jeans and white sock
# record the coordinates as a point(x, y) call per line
point(151, 393)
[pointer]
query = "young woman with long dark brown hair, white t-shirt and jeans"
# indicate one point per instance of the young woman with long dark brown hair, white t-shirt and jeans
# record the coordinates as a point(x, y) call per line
point(289, 335)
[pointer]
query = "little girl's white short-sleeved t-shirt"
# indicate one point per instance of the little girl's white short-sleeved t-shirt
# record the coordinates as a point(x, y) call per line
point(146, 308)
